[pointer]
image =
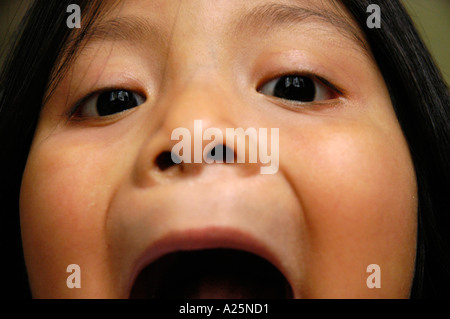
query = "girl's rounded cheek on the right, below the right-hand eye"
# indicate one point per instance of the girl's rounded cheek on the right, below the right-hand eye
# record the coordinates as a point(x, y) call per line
point(357, 191)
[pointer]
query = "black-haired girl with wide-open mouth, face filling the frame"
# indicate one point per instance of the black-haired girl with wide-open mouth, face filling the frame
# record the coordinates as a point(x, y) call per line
point(86, 121)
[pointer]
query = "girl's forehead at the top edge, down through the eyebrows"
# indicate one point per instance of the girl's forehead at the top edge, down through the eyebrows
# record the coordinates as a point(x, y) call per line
point(137, 20)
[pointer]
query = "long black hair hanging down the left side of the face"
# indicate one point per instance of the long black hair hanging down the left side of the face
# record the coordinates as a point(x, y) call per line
point(28, 76)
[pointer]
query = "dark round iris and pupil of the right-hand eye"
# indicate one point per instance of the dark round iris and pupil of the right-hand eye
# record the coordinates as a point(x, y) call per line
point(295, 88)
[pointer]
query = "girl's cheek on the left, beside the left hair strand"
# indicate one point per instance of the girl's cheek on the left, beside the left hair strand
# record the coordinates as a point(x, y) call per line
point(63, 201)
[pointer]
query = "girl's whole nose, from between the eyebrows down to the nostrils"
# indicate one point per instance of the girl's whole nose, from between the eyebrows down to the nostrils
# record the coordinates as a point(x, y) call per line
point(194, 106)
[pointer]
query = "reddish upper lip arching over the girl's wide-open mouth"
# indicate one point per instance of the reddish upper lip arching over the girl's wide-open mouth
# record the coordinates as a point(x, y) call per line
point(207, 238)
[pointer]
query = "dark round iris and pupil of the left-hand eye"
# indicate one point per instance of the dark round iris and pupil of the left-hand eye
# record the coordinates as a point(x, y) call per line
point(114, 102)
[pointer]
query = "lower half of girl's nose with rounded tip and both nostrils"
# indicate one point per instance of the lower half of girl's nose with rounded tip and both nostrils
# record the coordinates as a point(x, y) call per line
point(196, 131)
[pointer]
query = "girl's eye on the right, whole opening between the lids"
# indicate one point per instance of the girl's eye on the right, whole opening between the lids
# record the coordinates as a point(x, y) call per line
point(299, 88)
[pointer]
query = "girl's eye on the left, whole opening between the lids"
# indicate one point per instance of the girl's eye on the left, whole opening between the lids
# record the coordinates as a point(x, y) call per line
point(108, 103)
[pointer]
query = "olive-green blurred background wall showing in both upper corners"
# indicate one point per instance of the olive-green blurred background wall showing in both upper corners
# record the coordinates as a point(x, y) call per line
point(432, 18)
